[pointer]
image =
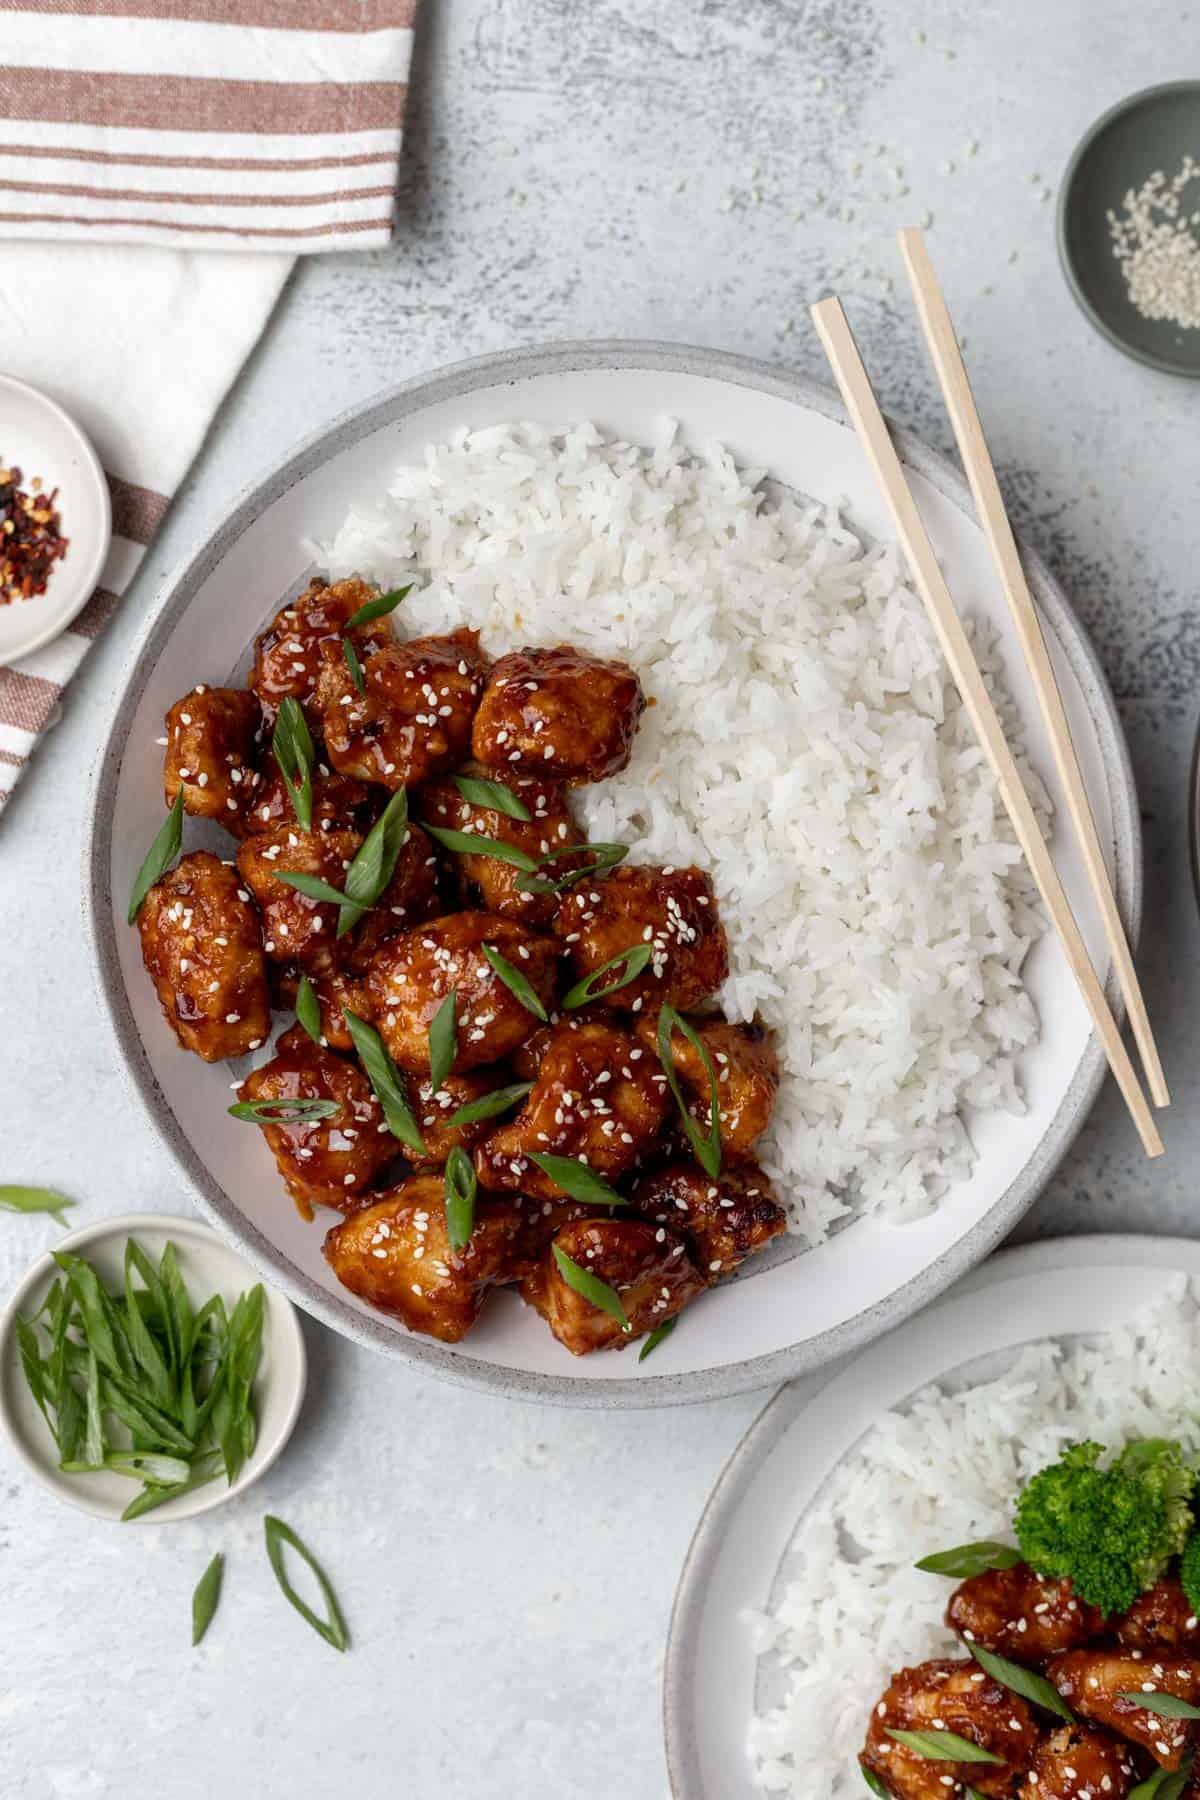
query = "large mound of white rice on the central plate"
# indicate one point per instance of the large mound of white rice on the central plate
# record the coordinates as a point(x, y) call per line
point(805, 746)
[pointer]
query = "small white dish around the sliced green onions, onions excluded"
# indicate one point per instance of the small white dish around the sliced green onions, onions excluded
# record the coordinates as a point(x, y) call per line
point(210, 1266)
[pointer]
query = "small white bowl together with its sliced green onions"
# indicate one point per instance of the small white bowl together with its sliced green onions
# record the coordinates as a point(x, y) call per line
point(145, 1372)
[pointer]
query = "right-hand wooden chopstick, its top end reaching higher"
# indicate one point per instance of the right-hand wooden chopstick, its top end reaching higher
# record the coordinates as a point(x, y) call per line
point(956, 388)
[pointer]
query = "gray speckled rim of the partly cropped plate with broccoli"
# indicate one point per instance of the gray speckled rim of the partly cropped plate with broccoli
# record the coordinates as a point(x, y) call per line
point(775, 1421)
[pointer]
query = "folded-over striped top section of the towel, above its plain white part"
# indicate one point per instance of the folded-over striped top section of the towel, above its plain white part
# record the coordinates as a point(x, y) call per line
point(267, 125)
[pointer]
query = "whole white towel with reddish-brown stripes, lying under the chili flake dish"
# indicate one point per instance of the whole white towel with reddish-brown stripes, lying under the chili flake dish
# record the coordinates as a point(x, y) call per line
point(138, 134)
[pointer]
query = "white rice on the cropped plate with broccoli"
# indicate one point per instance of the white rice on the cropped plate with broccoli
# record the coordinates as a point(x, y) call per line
point(942, 1473)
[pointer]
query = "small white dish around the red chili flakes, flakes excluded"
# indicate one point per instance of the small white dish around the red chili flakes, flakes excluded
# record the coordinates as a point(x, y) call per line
point(42, 440)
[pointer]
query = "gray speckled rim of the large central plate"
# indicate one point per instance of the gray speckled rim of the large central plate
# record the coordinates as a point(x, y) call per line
point(429, 1356)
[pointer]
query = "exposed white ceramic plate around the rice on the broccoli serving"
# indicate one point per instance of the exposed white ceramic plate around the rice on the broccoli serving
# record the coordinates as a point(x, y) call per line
point(1064, 1288)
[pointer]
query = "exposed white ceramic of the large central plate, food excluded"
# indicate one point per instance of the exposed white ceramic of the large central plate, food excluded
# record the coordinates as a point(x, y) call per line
point(787, 1315)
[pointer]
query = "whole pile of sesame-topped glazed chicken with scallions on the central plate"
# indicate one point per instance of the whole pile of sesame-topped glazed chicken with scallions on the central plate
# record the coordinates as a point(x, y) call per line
point(481, 1077)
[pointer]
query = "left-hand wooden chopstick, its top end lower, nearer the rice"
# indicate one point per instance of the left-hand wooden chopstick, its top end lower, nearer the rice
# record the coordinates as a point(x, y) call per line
point(931, 584)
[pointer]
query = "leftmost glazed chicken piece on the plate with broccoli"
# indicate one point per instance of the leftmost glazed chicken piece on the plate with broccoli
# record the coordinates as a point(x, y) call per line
point(953, 1696)
